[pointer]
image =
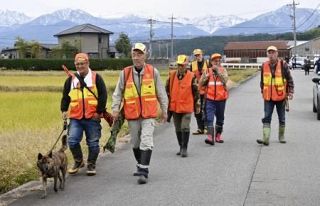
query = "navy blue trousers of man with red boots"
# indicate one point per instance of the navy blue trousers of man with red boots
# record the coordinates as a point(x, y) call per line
point(215, 108)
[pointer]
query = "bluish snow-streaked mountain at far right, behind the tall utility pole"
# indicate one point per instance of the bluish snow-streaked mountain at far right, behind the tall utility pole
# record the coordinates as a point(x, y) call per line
point(278, 21)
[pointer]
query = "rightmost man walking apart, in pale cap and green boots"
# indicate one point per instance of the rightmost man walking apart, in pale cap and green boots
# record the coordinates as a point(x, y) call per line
point(276, 87)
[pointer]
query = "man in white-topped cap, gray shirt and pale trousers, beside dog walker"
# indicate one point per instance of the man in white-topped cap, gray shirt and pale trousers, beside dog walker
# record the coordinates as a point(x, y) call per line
point(141, 89)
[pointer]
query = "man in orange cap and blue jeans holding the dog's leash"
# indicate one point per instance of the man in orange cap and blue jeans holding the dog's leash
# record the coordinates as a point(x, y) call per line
point(83, 102)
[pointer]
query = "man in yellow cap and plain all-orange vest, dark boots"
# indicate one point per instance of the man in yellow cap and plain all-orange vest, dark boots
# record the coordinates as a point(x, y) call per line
point(182, 89)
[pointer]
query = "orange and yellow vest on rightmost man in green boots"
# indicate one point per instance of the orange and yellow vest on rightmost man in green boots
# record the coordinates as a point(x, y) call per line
point(274, 88)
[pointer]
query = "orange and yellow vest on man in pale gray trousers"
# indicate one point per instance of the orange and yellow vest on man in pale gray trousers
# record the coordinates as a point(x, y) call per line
point(144, 105)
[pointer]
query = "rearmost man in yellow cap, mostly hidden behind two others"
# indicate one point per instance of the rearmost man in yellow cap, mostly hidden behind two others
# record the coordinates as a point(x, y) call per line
point(198, 67)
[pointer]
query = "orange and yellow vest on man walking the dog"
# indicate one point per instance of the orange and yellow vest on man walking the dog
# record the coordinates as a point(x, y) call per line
point(83, 104)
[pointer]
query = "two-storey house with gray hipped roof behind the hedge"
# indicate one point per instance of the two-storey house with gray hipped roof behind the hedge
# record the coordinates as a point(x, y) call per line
point(88, 38)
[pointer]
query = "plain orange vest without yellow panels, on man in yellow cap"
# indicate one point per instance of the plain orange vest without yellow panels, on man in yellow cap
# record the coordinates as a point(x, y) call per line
point(181, 96)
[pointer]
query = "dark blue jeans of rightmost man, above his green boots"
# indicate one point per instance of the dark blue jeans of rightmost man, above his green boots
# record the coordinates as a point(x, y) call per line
point(268, 110)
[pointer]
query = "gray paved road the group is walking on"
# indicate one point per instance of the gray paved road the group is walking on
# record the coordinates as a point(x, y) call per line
point(238, 172)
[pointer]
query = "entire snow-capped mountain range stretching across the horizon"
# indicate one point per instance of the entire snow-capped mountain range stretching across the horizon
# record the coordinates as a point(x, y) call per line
point(42, 28)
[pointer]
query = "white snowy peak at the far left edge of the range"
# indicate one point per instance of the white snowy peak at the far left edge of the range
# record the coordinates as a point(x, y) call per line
point(9, 18)
